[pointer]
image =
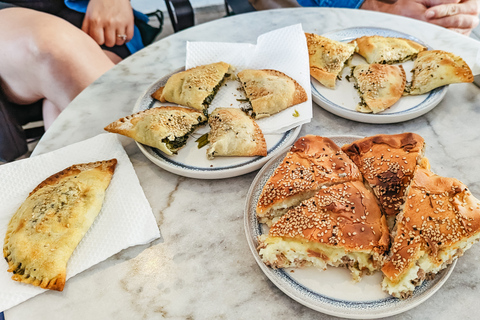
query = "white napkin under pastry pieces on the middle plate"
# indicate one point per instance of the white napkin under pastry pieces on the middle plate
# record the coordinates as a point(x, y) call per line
point(283, 49)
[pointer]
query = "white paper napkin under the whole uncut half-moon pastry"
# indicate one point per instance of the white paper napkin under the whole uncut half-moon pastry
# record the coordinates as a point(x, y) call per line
point(126, 218)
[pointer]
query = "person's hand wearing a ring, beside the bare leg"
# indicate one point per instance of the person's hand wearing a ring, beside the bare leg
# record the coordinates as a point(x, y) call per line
point(109, 22)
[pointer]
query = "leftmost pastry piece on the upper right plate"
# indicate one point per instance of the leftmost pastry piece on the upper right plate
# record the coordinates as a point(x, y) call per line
point(327, 58)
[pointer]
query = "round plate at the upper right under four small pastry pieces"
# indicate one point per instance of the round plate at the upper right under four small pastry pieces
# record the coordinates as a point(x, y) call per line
point(343, 100)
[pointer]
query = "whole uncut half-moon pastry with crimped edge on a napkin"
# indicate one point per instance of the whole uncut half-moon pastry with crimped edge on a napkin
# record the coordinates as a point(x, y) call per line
point(46, 229)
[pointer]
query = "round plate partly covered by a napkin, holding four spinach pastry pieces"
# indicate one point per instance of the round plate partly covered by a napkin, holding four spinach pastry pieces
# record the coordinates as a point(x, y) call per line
point(192, 162)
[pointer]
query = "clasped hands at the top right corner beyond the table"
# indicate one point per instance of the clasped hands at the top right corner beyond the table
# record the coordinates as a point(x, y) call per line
point(461, 17)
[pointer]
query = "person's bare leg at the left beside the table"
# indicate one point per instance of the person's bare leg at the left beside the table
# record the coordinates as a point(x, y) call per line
point(45, 57)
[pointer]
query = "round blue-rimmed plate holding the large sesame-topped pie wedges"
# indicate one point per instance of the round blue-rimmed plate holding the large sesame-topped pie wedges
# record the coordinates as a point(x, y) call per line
point(331, 291)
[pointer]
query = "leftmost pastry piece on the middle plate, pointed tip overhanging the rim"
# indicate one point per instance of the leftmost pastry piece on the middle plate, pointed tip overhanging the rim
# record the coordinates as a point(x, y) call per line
point(164, 128)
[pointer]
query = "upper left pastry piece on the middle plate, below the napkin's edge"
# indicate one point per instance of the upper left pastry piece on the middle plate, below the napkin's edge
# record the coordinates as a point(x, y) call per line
point(194, 87)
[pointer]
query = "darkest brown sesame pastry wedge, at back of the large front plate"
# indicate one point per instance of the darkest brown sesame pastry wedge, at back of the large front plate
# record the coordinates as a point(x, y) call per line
point(387, 163)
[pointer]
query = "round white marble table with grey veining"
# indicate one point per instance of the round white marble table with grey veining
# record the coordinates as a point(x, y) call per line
point(202, 267)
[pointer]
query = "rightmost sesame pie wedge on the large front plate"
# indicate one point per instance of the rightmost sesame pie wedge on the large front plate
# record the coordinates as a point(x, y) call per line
point(439, 222)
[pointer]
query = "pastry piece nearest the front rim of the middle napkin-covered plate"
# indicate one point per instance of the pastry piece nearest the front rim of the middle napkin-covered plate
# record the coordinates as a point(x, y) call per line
point(233, 133)
